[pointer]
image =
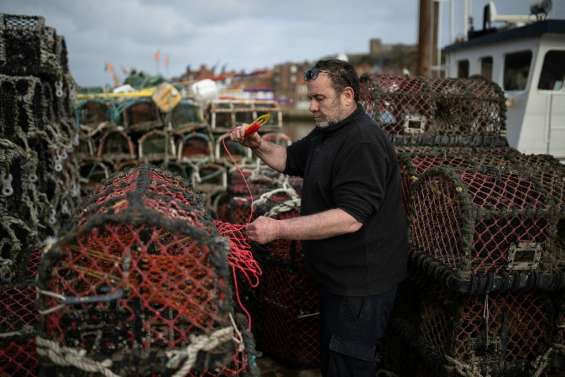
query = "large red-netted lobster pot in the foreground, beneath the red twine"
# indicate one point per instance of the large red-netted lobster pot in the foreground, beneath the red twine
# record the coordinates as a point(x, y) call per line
point(142, 285)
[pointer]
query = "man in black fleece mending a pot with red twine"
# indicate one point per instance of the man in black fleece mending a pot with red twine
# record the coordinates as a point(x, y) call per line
point(352, 221)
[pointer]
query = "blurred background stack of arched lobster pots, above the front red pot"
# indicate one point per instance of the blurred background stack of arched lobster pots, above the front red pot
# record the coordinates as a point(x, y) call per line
point(120, 133)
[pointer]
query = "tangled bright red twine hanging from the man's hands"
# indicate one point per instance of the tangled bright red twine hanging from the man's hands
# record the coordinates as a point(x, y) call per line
point(240, 258)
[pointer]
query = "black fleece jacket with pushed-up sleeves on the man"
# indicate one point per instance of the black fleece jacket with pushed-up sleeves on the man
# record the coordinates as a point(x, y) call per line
point(351, 165)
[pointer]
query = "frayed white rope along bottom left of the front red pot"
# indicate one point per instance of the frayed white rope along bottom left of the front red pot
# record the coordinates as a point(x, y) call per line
point(66, 356)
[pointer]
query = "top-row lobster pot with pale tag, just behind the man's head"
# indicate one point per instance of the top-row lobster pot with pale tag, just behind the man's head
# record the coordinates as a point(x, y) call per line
point(400, 105)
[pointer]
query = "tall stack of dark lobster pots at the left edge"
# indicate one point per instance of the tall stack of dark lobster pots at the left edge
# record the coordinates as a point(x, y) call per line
point(39, 186)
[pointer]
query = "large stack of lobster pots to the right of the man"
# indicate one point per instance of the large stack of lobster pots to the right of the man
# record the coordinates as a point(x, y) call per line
point(485, 258)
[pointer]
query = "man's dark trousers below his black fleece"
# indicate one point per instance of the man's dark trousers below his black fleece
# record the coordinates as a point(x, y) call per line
point(351, 329)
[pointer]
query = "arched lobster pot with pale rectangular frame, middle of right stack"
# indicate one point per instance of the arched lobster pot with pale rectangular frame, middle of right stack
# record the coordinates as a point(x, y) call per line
point(484, 222)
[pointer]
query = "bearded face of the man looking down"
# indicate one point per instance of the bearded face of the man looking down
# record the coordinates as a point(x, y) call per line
point(325, 104)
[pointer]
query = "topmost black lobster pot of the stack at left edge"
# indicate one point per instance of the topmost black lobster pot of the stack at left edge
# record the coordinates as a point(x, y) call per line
point(28, 47)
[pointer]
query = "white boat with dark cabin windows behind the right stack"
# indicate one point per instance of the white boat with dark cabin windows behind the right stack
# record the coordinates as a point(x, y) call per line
point(528, 62)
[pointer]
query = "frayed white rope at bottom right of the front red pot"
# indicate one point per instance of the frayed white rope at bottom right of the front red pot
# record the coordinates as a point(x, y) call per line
point(197, 343)
